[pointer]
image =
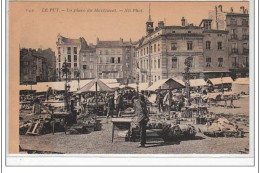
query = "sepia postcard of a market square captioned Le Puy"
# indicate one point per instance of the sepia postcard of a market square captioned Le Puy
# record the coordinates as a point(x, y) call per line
point(167, 79)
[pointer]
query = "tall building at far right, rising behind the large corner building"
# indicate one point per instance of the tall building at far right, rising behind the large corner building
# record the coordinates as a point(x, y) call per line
point(236, 23)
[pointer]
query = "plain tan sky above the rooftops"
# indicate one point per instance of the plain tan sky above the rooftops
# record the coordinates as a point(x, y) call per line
point(39, 29)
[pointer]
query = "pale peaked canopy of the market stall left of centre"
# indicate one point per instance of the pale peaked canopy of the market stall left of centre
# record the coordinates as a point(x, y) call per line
point(91, 86)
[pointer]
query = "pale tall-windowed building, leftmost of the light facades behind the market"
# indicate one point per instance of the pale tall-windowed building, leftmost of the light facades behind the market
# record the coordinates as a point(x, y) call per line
point(68, 49)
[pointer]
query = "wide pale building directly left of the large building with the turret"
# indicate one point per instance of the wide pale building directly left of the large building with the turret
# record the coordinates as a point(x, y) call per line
point(114, 59)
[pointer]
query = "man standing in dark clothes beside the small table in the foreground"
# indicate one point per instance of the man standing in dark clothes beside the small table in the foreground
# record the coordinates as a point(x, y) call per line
point(142, 114)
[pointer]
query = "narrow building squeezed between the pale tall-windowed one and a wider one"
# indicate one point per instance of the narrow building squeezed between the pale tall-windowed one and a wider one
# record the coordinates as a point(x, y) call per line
point(87, 61)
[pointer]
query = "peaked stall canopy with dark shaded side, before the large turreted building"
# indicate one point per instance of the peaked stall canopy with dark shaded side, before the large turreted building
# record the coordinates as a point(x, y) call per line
point(166, 84)
